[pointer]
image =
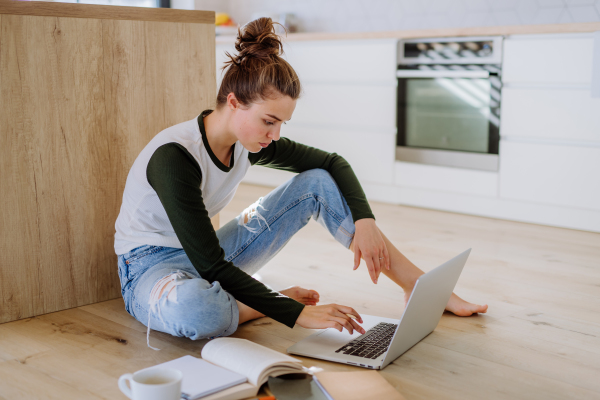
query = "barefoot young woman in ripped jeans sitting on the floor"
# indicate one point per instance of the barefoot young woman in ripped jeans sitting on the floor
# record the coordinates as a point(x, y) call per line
point(180, 276)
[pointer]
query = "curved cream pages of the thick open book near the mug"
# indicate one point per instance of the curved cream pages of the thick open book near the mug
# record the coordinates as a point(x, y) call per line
point(249, 359)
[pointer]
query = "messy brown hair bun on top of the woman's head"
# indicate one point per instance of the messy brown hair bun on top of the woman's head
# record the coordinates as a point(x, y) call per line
point(257, 39)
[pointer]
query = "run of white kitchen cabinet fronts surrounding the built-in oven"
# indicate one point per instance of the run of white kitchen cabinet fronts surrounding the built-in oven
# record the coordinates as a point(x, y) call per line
point(550, 130)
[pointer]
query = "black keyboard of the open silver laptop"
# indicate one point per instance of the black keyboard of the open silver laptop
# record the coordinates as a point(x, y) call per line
point(372, 344)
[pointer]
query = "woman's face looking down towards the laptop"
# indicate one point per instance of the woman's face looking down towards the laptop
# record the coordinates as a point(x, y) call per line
point(256, 126)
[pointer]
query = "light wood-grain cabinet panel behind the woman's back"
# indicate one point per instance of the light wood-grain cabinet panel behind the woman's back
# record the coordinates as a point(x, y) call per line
point(80, 97)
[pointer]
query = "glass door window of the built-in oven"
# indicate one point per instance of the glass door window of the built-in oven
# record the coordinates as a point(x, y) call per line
point(448, 113)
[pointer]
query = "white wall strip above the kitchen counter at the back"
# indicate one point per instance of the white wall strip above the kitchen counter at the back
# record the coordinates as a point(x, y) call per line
point(381, 15)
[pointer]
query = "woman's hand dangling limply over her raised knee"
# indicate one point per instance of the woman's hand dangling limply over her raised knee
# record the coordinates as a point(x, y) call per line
point(369, 244)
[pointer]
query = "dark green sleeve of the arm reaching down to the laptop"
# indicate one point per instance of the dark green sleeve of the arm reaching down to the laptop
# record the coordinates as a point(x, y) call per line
point(176, 176)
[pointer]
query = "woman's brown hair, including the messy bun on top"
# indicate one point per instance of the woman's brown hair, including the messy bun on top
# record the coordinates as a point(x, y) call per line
point(258, 72)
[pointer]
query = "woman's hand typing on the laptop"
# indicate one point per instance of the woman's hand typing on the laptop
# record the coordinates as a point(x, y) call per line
point(330, 316)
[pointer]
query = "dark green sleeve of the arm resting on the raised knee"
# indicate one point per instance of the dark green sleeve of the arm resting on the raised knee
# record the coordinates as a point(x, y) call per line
point(287, 155)
